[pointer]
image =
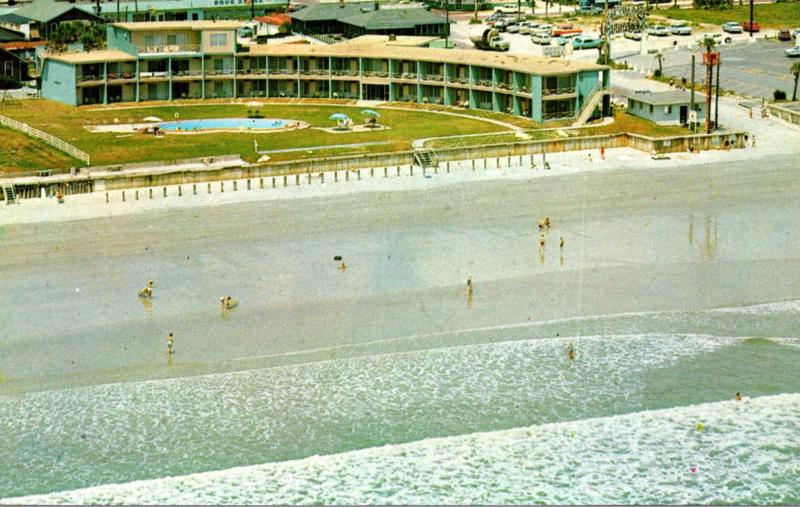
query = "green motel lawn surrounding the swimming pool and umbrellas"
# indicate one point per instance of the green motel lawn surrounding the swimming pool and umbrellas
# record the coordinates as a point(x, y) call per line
point(68, 123)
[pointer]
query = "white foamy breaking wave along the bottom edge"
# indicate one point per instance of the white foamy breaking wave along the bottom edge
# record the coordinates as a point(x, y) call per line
point(744, 453)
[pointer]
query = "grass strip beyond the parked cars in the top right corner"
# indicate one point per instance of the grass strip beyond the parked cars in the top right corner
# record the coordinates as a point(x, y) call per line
point(782, 15)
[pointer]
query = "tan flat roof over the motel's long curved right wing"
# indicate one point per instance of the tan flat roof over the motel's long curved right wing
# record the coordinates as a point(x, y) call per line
point(370, 49)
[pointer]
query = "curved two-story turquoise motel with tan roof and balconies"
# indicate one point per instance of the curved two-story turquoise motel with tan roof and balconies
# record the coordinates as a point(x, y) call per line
point(200, 59)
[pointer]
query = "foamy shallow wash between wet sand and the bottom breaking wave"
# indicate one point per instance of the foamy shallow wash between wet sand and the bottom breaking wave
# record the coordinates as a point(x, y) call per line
point(124, 432)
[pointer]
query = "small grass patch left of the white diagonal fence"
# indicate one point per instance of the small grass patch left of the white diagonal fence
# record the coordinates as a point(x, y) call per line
point(19, 152)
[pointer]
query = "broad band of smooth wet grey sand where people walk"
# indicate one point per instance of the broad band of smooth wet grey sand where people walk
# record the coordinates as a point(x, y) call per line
point(688, 237)
